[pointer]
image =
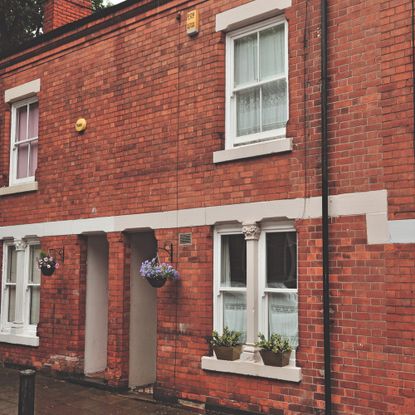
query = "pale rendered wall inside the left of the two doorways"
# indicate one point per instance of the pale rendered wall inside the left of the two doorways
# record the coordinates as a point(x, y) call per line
point(96, 325)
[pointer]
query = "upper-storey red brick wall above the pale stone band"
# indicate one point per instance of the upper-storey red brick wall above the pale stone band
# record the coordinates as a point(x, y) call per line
point(152, 128)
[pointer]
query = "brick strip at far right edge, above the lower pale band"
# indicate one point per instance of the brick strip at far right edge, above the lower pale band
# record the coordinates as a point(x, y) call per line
point(397, 106)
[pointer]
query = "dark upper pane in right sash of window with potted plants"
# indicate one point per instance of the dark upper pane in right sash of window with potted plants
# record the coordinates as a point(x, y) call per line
point(281, 260)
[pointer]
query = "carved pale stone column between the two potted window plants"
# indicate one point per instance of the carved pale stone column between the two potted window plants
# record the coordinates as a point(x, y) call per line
point(251, 232)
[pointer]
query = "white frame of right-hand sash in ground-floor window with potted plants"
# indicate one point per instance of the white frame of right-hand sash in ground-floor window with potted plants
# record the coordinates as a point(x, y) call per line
point(263, 290)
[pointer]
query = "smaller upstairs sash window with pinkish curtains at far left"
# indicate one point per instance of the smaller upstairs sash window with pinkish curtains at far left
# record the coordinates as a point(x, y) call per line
point(24, 141)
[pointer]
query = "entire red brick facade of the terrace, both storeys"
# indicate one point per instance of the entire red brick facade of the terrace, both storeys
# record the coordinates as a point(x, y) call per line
point(154, 100)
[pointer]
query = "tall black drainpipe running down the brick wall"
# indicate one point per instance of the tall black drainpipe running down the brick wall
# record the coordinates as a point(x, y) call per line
point(325, 209)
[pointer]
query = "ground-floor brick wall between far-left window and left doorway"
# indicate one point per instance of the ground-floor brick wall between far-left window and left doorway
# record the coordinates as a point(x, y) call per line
point(62, 313)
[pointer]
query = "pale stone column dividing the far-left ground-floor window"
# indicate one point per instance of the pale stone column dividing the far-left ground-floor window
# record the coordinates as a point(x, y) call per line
point(18, 323)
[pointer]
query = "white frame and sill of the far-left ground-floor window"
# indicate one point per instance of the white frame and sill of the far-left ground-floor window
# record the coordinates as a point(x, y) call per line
point(28, 333)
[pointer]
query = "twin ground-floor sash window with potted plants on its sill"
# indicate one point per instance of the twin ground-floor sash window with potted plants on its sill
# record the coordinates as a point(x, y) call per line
point(256, 265)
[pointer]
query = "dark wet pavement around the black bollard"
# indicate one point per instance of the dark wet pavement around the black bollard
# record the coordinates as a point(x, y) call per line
point(58, 397)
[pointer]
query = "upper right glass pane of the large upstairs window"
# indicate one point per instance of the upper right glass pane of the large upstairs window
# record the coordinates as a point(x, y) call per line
point(272, 52)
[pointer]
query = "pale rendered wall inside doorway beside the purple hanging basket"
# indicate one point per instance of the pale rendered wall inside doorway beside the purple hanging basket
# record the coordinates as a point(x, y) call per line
point(143, 315)
